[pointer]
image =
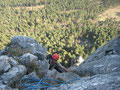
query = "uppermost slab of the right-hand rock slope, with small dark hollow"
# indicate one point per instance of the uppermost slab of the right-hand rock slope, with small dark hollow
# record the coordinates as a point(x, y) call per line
point(111, 48)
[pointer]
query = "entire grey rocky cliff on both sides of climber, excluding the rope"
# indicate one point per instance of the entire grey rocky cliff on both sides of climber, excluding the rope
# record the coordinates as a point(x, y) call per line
point(25, 57)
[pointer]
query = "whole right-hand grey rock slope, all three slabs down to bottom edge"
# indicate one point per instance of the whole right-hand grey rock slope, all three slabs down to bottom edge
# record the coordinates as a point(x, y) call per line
point(100, 71)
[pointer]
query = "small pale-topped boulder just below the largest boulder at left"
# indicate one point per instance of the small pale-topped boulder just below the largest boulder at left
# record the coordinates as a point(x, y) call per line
point(28, 59)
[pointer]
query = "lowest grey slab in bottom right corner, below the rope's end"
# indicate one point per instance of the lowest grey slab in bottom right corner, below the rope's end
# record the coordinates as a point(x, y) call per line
point(97, 82)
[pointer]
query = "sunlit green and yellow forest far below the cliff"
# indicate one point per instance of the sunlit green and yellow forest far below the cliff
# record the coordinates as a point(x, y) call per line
point(70, 28)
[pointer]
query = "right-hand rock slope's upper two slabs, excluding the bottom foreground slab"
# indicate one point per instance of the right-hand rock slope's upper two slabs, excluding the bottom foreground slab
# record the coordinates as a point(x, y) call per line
point(106, 59)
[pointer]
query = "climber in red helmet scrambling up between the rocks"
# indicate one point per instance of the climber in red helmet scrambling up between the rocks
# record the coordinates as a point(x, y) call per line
point(53, 61)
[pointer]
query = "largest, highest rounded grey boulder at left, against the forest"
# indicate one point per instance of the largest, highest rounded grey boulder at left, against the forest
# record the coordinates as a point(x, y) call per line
point(20, 45)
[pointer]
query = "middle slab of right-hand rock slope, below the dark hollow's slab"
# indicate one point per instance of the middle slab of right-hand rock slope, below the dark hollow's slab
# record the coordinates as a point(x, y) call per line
point(106, 64)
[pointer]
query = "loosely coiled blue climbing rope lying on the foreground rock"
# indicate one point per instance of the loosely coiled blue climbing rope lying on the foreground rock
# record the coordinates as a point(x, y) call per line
point(33, 83)
